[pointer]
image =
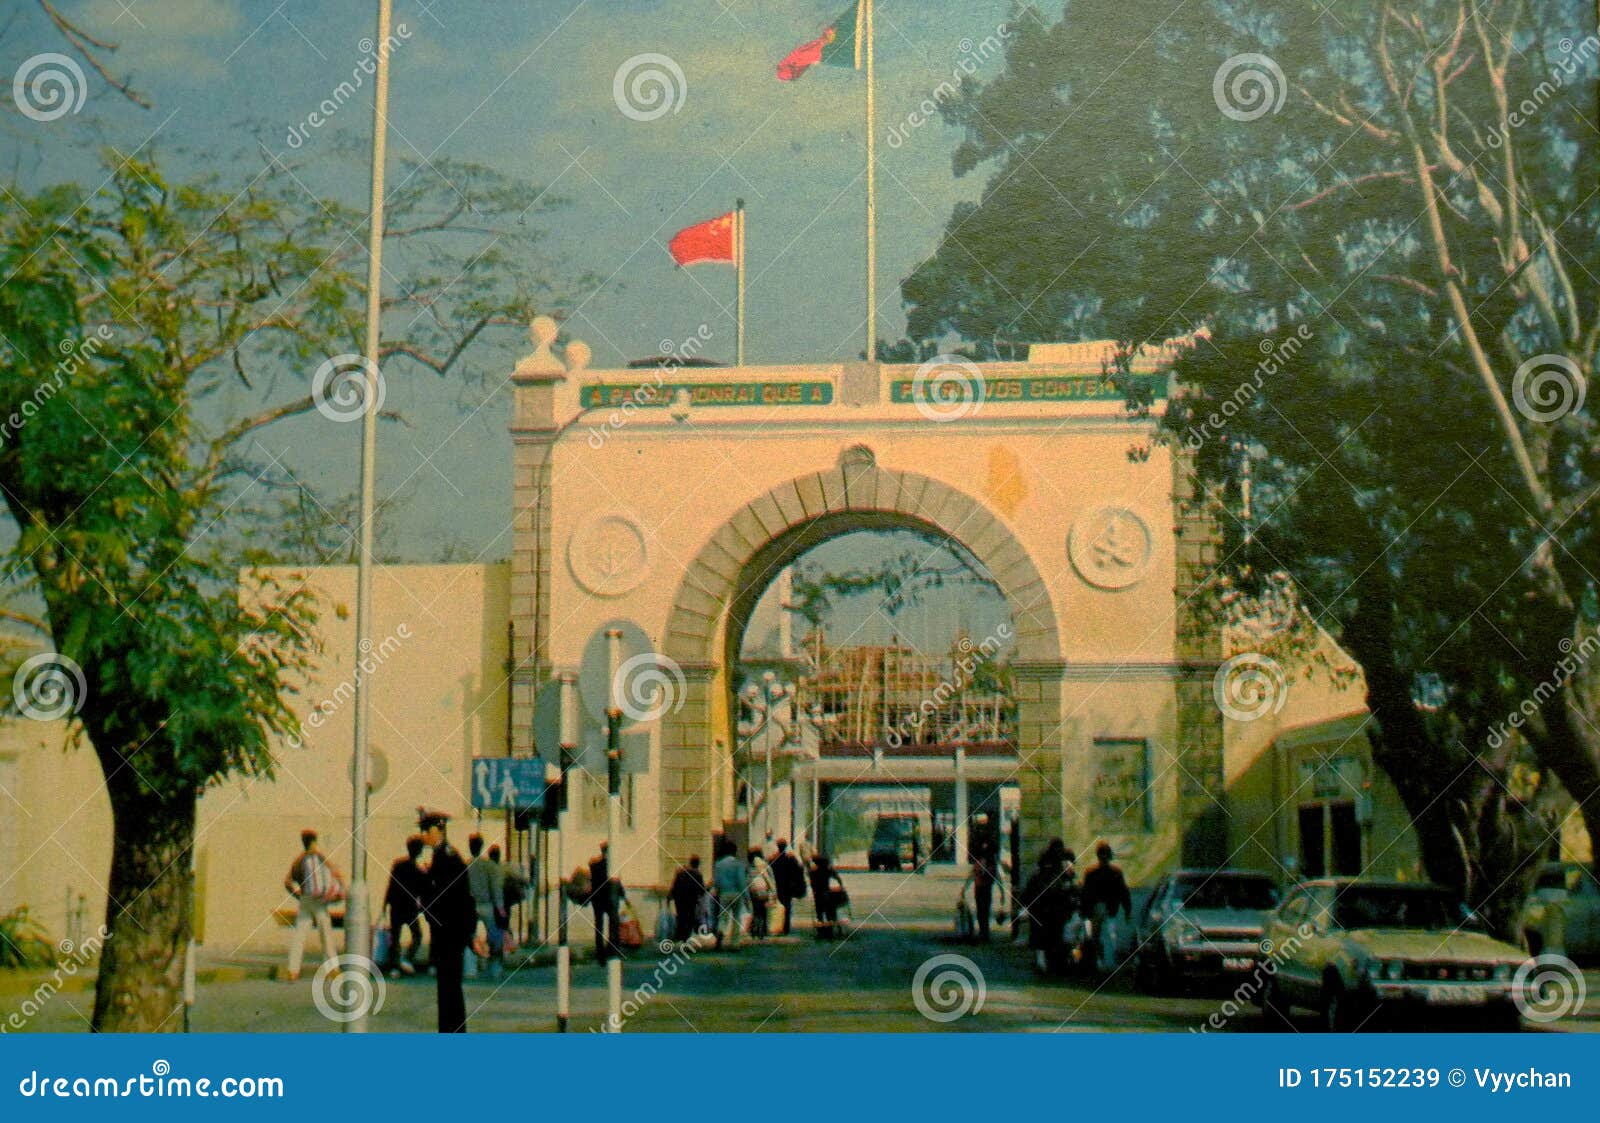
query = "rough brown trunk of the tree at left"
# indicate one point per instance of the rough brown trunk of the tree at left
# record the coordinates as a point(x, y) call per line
point(148, 913)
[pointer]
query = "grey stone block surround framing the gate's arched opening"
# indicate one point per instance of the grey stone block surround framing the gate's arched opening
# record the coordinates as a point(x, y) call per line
point(740, 561)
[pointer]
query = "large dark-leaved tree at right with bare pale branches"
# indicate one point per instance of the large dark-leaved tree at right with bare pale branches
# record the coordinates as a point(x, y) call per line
point(1382, 223)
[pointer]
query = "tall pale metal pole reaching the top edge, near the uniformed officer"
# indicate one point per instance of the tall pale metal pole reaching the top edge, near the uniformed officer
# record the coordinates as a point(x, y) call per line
point(358, 922)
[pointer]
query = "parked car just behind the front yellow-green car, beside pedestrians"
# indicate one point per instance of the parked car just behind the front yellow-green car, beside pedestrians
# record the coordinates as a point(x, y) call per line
point(1202, 925)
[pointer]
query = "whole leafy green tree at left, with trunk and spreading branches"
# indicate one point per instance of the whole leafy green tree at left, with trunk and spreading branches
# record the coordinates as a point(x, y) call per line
point(132, 321)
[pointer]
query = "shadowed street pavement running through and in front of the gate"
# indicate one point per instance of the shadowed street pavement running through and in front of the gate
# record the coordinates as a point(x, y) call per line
point(865, 983)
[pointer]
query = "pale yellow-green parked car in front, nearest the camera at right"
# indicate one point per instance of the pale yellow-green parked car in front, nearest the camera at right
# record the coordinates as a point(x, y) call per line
point(1350, 948)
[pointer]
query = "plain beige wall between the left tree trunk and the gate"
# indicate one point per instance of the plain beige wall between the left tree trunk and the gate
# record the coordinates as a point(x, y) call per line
point(439, 700)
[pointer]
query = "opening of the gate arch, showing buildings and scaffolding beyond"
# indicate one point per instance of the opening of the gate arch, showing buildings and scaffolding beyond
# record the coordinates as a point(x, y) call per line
point(871, 697)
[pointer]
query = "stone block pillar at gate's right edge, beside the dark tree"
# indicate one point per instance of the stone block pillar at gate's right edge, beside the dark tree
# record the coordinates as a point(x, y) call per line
point(1202, 781)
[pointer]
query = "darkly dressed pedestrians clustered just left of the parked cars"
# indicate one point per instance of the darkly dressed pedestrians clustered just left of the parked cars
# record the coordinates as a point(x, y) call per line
point(1073, 924)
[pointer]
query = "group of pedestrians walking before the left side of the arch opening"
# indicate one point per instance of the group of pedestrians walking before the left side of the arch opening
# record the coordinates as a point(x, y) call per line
point(743, 892)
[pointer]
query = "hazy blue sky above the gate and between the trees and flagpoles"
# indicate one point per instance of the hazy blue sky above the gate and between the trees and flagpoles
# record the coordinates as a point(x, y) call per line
point(527, 87)
